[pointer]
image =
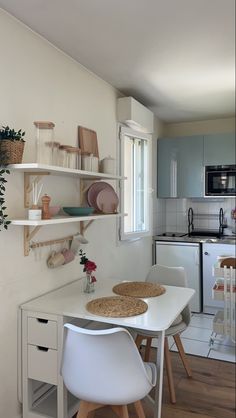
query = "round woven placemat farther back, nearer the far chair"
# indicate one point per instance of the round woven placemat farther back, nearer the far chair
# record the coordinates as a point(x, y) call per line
point(139, 289)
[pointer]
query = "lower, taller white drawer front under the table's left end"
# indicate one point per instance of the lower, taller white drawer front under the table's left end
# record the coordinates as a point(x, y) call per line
point(42, 364)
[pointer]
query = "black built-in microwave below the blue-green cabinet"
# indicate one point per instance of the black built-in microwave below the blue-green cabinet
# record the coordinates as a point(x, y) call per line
point(220, 180)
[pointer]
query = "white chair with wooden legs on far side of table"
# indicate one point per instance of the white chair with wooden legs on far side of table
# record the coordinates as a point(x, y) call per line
point(172, 276)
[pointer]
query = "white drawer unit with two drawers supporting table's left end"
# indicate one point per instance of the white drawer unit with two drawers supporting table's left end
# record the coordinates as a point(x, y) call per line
point(41, 388)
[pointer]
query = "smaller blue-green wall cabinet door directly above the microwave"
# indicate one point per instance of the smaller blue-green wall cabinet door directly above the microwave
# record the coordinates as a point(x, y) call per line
point(219, 149)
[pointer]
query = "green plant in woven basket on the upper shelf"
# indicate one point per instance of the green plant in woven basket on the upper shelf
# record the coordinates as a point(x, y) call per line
point(11, 145)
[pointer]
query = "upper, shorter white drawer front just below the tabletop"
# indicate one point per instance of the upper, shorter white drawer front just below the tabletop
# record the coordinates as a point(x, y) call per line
point(42, 332)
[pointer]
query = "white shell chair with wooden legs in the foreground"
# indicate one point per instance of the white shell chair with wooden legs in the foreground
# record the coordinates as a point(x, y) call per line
point(104, 367)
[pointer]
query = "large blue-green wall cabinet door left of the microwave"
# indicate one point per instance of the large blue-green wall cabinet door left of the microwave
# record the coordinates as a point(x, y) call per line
point(180, 167)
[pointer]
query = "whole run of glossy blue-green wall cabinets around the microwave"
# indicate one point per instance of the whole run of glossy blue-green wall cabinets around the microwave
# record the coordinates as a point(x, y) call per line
point(181, 161)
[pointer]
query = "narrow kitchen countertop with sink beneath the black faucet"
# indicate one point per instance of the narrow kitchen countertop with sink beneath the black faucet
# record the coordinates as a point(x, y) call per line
point(231, 239)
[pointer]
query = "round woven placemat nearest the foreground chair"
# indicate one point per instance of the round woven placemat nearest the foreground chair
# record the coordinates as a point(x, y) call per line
point(117, 306)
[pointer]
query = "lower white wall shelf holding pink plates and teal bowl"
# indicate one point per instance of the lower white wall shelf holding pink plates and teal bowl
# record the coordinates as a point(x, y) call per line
point(62, 220)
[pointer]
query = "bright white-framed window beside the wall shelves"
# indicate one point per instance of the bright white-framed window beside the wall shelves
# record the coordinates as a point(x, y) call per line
point(134, 152)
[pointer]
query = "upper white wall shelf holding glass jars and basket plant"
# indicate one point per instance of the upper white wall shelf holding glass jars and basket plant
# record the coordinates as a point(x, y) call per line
point(62, 171)
